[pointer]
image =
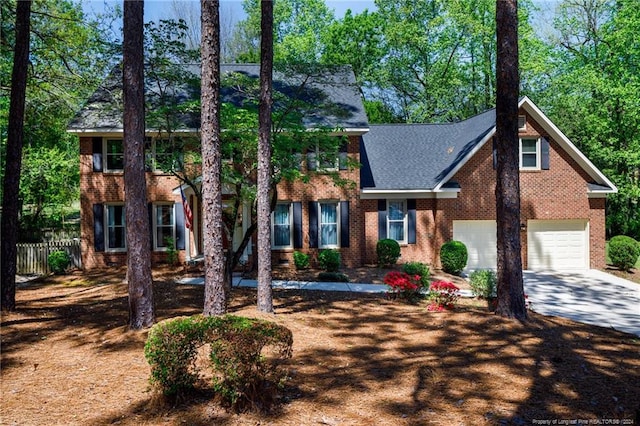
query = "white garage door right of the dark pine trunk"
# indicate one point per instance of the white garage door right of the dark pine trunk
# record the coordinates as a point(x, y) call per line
point(557, 244)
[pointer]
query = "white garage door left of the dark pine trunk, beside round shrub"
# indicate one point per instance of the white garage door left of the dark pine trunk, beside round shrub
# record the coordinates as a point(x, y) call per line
point(480, 238)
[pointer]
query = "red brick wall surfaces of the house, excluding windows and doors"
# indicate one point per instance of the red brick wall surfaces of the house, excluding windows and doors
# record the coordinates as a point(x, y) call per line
point(557, 193)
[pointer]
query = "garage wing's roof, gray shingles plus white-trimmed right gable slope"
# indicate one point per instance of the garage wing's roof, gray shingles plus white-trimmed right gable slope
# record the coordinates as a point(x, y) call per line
point(425, 157)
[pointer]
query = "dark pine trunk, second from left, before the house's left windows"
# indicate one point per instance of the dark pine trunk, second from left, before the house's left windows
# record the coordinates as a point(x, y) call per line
point(141, 312)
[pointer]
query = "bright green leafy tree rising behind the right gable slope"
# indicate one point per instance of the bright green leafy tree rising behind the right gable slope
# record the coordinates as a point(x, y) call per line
point(592, 95)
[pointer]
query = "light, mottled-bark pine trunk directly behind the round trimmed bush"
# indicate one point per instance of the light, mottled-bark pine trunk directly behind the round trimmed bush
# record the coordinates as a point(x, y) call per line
point(215, 297)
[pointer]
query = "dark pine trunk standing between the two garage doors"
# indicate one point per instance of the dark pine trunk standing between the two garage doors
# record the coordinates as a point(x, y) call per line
point(510, 282)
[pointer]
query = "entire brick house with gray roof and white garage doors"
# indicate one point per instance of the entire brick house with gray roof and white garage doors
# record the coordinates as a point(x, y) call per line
point(421, 184)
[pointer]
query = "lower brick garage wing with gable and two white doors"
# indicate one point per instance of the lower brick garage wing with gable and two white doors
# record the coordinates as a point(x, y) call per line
point(424, 184)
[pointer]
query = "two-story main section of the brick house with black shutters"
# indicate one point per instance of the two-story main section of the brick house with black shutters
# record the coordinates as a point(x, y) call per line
point(308, 216)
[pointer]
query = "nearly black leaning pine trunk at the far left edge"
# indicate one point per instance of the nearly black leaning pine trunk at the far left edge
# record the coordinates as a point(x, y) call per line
point(13, 159)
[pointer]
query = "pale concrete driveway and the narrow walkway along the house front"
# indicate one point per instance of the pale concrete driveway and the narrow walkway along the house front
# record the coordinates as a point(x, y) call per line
point(591, 297)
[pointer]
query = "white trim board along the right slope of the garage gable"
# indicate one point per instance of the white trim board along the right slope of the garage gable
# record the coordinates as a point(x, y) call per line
point(557, 135)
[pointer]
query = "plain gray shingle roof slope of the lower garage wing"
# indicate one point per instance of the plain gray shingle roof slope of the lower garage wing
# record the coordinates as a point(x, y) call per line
point(419, 156)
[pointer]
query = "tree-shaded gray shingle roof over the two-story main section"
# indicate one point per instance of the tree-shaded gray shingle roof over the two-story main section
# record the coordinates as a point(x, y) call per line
point(330, 95)
